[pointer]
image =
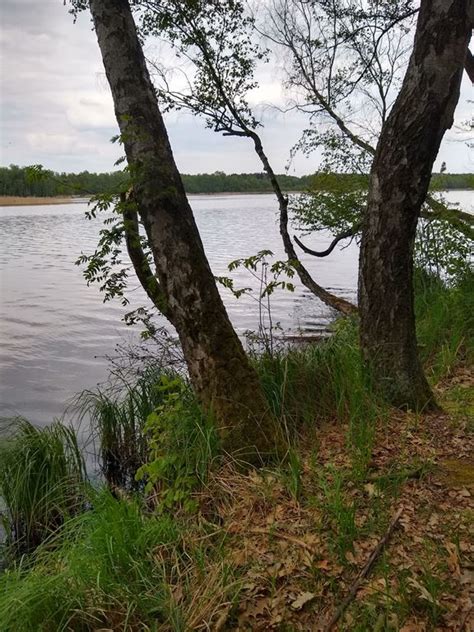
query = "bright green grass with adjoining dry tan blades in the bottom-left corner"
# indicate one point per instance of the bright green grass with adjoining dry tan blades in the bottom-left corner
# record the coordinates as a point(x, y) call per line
point(117, 567)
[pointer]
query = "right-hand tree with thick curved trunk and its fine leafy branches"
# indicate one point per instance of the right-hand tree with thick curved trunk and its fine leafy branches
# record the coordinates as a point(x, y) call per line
point(344, 60)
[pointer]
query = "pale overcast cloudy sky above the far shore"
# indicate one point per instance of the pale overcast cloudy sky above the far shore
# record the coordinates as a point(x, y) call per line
point(56, 108)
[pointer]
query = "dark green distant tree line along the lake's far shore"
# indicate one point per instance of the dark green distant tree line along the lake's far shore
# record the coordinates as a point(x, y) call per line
point(20, 181)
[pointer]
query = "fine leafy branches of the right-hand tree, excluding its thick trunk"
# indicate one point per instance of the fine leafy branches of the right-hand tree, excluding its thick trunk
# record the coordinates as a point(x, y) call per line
point(344, 65)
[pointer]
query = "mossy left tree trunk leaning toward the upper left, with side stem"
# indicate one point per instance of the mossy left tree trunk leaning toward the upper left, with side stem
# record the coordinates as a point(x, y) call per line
point(185, 290)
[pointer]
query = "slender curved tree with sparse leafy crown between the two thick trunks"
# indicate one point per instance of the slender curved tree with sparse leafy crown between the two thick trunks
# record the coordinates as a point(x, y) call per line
point(217, 38)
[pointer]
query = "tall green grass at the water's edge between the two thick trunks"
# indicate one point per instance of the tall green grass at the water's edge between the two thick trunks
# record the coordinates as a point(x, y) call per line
point(325, 381)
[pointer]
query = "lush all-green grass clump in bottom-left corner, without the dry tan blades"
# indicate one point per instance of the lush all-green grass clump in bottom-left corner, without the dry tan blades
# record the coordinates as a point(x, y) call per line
point(101, 573)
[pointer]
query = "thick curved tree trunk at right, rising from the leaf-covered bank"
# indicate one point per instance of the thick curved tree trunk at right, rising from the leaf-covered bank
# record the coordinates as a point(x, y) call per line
point(399, 181)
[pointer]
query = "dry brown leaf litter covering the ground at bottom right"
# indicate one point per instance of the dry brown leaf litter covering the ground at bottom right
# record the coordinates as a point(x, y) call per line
point(297, 563)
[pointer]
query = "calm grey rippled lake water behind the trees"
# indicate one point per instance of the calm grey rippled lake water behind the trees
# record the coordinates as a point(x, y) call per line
point(56, 333)
